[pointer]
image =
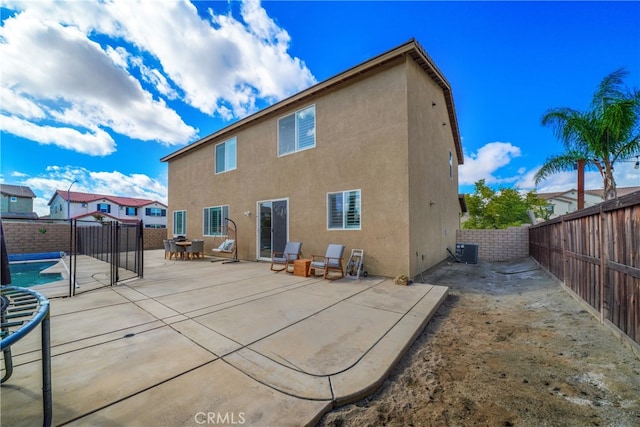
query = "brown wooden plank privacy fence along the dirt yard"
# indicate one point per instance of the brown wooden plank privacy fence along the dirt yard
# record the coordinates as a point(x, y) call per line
point(595, 252)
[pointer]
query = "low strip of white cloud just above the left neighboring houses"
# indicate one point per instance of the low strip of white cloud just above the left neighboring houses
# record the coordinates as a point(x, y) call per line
point(100, 182)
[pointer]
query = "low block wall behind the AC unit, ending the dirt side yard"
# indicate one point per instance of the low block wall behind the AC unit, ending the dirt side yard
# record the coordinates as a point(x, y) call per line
point(498, 245)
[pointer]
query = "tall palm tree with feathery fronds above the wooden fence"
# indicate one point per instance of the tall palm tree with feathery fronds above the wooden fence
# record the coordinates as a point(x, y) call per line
point(608, 132)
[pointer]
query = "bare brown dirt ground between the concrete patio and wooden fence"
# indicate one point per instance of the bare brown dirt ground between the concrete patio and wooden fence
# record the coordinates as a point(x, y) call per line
point(509, 347)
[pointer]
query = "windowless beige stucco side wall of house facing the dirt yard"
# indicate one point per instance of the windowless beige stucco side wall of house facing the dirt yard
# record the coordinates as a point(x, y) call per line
point(434, 213)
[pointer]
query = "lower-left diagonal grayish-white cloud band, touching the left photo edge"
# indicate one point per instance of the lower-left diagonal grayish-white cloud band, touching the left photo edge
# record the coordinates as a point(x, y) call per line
point(79, 91)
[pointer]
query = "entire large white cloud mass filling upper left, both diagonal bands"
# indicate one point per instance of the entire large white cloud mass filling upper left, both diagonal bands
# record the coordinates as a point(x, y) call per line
point(111, 67)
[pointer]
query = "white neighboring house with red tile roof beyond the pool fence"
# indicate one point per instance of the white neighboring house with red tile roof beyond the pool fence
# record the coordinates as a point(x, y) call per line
point(86, 206)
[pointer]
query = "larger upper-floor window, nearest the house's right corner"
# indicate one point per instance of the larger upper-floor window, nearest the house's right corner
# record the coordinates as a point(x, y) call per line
point(297, 131)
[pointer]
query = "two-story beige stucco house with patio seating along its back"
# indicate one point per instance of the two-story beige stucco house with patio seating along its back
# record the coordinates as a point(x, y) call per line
point(368, 159)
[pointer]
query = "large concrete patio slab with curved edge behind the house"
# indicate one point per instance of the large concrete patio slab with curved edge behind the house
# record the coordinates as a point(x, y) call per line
point(200, 342)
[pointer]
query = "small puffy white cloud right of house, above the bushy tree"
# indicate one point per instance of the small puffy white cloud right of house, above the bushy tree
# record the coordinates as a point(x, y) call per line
point(485, 163)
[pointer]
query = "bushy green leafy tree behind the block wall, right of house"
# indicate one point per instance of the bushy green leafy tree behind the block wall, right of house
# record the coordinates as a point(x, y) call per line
point(501, 209)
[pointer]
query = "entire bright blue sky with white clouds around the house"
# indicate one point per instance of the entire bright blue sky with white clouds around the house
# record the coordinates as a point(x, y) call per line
point(99, 92)
